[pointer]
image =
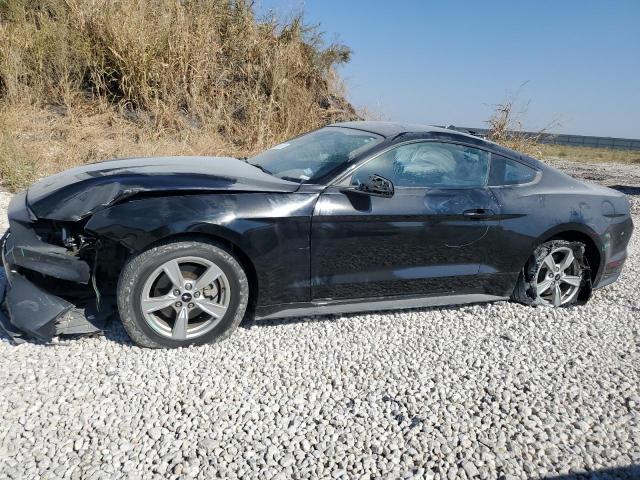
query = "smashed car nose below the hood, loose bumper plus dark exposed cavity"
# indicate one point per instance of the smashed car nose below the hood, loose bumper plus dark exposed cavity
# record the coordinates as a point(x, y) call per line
point(48, 288)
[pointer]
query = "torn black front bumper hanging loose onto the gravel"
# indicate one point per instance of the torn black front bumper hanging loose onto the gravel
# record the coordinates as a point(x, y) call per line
point(29, 310)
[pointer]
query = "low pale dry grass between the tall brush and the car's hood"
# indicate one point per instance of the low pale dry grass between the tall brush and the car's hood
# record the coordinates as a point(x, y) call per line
point(41, 141)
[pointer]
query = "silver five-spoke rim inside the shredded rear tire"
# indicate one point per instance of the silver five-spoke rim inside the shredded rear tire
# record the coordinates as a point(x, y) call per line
point(558, 277)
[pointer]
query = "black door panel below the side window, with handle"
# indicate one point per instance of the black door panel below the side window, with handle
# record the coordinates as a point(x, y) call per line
point(420, 241)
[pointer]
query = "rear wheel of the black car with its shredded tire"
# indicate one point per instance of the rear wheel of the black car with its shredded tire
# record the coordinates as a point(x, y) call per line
point(548, 278)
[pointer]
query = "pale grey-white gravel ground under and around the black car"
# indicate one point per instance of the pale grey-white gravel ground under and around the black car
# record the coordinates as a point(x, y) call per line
point(484, 391)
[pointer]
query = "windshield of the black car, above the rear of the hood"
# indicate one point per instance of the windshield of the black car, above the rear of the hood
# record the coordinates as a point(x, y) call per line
point(310, 157)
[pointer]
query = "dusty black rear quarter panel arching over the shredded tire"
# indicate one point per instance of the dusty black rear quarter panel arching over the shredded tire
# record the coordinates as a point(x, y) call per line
point(531, 214)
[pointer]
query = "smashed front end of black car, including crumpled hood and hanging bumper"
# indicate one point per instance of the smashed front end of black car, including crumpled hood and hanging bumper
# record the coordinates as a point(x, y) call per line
point(60, 277)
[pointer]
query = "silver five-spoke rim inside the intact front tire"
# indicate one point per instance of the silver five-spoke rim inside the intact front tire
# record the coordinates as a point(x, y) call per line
point(185, 298)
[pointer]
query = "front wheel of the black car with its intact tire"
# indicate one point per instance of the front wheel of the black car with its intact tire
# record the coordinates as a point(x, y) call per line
point(150, 279)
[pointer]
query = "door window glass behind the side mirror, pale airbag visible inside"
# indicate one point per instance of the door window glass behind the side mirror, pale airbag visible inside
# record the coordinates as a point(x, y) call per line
point(428, 164)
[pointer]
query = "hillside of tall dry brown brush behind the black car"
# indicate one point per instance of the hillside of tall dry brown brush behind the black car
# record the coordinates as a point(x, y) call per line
point(85, 80)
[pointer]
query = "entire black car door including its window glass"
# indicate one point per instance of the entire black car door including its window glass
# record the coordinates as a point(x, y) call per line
point(428, 239)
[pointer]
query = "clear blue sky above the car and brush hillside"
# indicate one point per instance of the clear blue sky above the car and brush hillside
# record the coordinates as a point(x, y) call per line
point(449, 62)
